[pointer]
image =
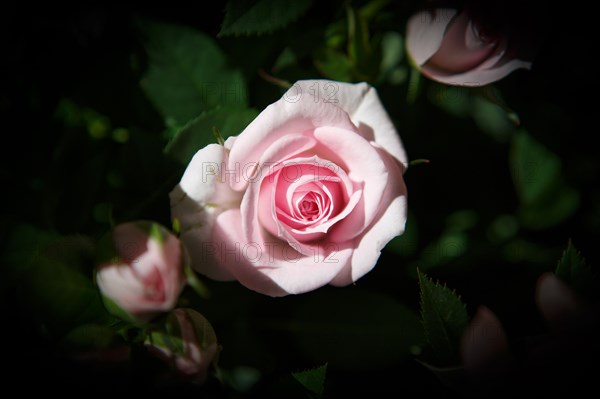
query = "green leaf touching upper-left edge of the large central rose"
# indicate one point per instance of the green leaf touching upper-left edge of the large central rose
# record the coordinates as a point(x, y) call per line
point(198, 132)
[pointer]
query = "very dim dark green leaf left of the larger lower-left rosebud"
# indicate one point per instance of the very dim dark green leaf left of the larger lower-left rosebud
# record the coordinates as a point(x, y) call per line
point(52, 276)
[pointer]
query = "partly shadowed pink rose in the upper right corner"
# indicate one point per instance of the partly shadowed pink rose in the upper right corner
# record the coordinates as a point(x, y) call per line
point(459, 49)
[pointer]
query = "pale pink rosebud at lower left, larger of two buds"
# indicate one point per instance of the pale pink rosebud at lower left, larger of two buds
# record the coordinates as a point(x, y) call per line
point(143, 272)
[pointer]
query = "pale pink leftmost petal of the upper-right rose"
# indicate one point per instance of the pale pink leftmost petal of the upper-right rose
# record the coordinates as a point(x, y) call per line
point(425, 32)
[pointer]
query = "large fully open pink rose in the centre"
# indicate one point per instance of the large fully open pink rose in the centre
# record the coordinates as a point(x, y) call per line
point(307, 195)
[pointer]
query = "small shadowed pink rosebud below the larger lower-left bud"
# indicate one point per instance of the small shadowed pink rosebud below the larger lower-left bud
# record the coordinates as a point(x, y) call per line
point(190, 347)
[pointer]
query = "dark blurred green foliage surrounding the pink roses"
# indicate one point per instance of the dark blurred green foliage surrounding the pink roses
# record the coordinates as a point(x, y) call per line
point(105, 104)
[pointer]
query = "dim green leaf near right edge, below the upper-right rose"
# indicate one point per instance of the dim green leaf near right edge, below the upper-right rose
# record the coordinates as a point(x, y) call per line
point(545, 198)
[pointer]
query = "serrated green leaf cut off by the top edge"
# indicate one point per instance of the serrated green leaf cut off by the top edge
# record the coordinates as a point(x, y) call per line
point(260, 16)
